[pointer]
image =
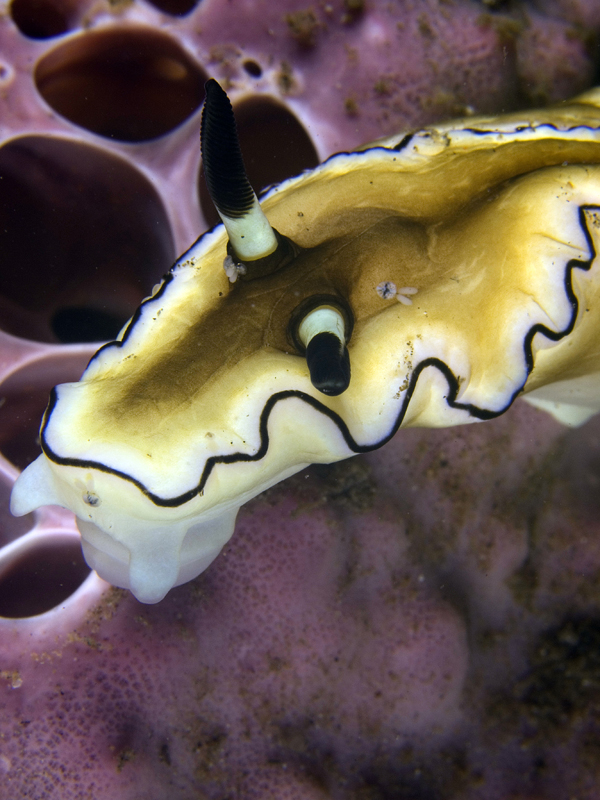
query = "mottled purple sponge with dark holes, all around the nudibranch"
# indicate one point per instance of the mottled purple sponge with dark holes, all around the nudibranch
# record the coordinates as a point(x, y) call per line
point(422, 623)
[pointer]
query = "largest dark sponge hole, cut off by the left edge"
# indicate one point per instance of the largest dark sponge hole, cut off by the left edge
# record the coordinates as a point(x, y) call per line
point(83, 230)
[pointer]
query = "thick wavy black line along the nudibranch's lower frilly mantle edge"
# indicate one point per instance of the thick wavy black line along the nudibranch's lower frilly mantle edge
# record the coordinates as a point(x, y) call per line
point(451, 379)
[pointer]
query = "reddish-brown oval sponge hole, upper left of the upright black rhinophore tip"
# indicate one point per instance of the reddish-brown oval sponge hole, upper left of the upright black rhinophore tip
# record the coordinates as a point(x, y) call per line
point(131, 85)
